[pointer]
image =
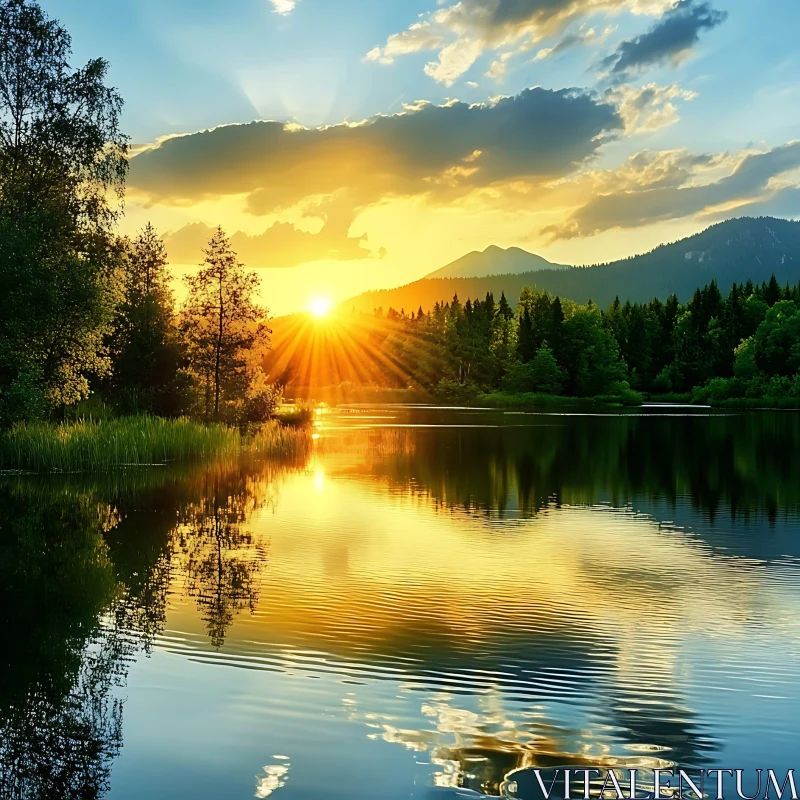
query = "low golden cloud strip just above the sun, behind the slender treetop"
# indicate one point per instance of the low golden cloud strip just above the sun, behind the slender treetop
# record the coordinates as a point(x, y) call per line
point(281, 245)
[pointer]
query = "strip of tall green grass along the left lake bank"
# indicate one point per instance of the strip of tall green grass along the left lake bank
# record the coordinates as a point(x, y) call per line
point(90, 446)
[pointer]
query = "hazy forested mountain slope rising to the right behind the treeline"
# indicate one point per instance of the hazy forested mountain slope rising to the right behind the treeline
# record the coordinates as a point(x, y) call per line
point(737, 250)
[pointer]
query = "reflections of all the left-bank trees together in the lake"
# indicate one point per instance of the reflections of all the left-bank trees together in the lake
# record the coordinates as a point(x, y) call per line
point(85, 570)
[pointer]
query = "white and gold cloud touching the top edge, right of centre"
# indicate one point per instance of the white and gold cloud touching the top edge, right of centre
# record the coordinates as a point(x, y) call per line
point(474, 26)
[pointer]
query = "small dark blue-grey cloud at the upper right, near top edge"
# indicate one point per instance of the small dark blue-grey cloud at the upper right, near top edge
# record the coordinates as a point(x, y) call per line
point(670, 39)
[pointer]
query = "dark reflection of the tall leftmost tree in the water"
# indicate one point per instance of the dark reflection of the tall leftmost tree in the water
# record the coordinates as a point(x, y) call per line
point(60, 726)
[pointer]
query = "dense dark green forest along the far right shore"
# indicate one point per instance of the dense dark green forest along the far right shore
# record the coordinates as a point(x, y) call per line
point(739, 349)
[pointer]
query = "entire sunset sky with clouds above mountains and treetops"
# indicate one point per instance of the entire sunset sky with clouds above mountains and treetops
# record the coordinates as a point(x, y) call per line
point(346, 145)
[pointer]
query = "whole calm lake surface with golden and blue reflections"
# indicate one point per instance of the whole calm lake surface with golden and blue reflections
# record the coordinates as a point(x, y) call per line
point(430, 598)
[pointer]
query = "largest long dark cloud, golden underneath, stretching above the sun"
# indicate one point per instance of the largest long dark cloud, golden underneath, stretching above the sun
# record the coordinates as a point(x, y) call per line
point(441, 151)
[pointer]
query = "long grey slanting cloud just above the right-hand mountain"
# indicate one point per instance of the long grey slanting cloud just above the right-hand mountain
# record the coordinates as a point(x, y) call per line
point(679, 195)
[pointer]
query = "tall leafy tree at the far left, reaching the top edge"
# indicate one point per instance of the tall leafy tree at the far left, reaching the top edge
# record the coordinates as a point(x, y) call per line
point(62, 159)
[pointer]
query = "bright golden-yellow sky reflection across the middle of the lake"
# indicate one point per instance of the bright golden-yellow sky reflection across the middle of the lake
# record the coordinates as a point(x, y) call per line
point(576, 572)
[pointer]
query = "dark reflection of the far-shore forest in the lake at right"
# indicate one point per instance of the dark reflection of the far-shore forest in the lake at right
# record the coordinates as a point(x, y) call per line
point(744, 464)
